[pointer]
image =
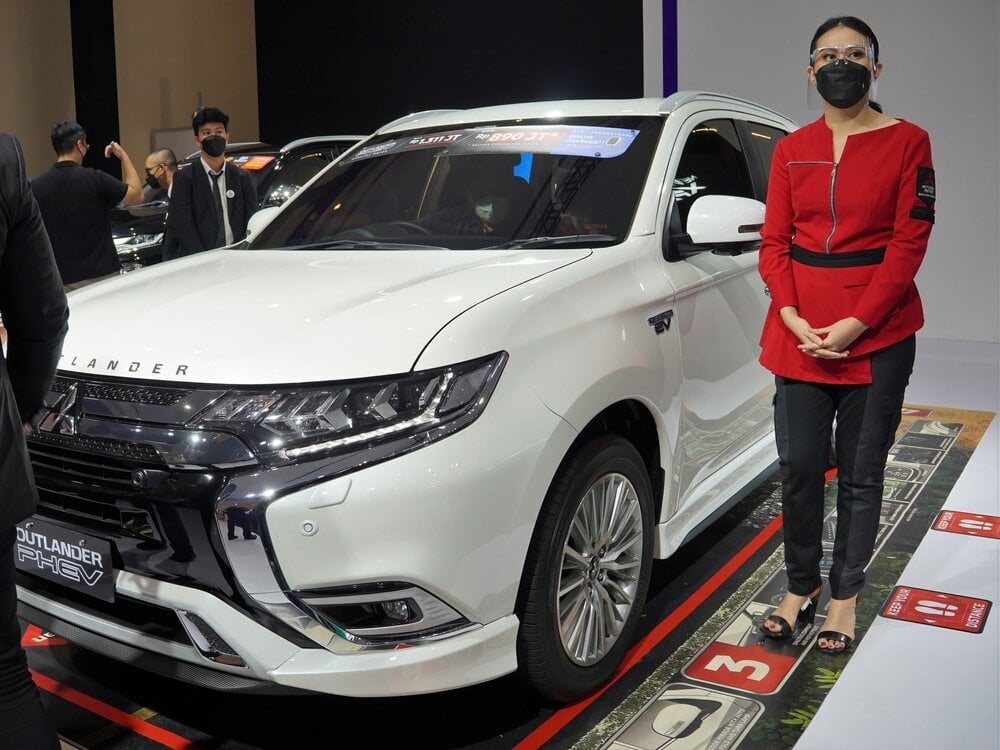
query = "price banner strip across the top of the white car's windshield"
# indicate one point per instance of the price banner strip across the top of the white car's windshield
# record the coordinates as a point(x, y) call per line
point(562, 140)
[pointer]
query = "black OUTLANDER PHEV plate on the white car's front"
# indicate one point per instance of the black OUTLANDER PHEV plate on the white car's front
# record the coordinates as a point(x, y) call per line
point(78, 561)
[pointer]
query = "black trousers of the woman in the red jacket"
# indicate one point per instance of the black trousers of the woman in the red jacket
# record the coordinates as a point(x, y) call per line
point(866, 419)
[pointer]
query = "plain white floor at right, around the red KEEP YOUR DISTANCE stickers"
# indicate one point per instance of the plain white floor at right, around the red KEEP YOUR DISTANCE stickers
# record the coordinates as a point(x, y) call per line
point(917, 686)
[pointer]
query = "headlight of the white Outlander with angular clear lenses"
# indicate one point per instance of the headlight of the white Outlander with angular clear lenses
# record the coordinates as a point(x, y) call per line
point(394, 414)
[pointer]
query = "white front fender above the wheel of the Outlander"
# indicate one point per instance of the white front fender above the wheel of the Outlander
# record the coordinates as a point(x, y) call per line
point(582, 338)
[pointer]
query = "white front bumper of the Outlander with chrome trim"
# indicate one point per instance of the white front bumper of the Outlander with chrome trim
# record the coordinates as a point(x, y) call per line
point(453, 518)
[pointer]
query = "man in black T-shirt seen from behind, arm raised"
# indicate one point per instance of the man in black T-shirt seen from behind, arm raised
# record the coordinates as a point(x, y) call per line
point(75, 202)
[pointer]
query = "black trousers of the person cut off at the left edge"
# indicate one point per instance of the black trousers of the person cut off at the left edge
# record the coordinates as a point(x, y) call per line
point(24, 724)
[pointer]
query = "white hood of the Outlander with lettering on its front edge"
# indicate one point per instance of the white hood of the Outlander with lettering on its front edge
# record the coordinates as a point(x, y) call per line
point(269, 317)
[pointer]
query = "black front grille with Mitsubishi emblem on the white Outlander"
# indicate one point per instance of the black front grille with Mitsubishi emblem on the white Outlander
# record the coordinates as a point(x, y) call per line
point(101, 474)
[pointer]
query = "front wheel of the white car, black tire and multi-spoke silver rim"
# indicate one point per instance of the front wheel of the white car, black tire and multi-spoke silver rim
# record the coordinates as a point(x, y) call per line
point(593, 542)
